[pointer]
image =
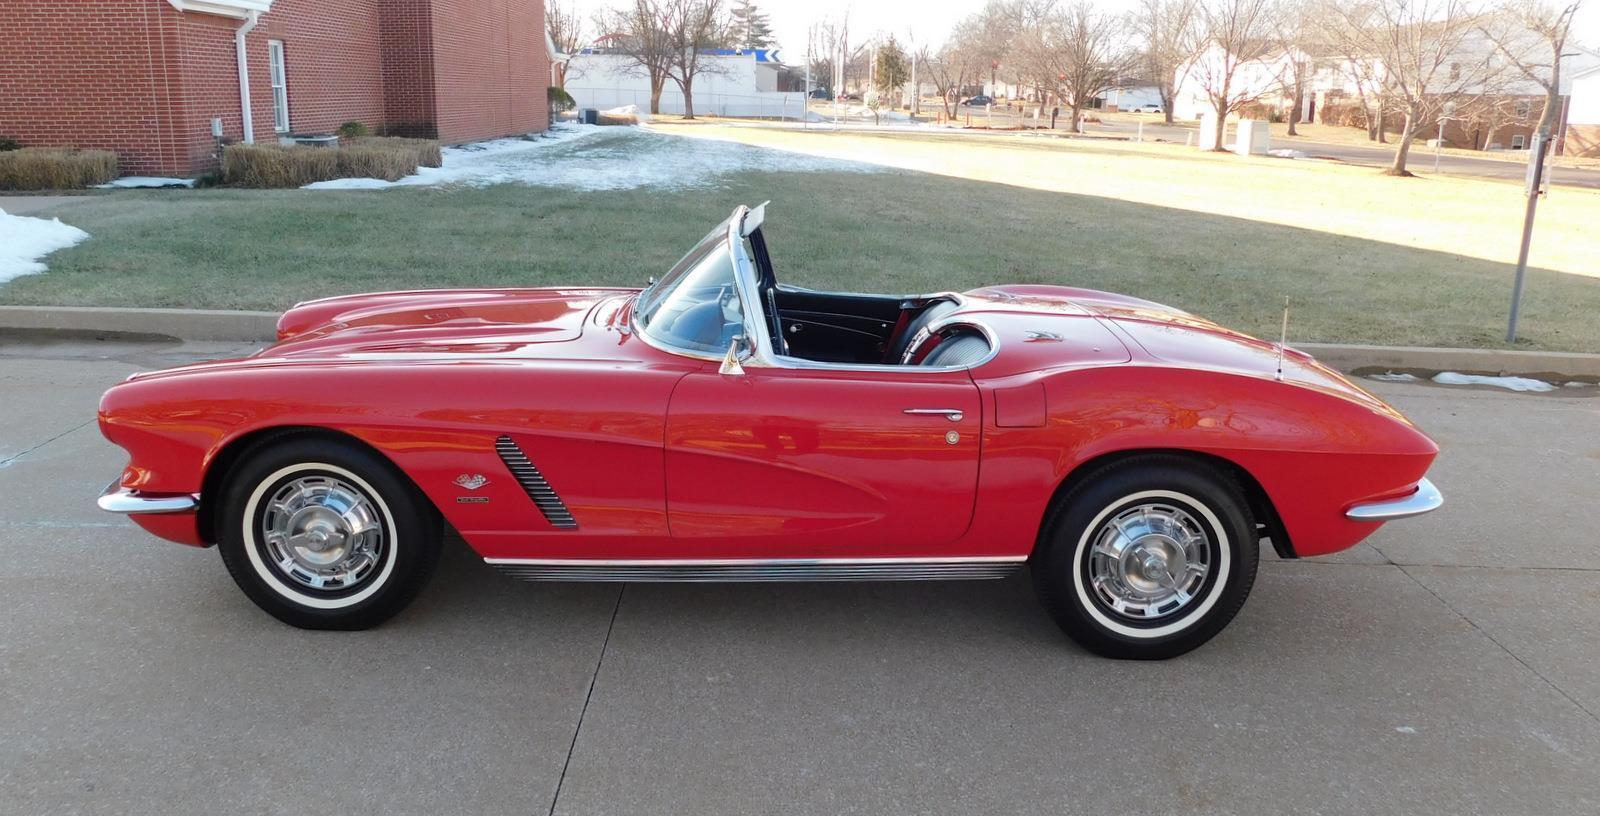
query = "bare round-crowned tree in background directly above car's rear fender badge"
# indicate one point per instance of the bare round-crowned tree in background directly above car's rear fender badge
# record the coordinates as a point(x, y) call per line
point(1078, 54)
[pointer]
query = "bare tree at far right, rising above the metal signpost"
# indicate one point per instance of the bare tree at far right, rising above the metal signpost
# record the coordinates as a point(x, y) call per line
point(1532, 34)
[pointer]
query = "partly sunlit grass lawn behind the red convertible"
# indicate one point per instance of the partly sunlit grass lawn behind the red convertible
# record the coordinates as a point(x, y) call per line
point(1223, 238)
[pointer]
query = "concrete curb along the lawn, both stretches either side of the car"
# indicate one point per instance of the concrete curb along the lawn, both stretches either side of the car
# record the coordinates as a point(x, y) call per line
point(262, 327)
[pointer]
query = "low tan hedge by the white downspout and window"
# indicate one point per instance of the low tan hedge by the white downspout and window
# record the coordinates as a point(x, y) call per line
point(375, 158)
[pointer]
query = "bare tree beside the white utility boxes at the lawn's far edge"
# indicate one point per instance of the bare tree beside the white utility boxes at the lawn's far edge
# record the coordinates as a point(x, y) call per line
point(1233, 34)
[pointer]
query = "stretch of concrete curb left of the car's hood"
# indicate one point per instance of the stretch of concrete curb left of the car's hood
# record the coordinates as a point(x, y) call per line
point(178, 324)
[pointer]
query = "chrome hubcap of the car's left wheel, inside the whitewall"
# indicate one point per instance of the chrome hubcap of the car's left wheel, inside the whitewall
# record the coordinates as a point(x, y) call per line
point(322, 534)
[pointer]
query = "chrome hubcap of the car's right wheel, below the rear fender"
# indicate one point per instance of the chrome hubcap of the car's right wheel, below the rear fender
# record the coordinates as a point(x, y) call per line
point(1150, 561)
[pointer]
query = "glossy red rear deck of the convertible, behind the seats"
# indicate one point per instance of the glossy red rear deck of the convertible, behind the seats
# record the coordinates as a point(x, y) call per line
point(1162, 335)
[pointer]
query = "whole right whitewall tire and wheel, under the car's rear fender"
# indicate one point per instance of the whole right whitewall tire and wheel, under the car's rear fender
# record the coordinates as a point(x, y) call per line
point(1148, 559)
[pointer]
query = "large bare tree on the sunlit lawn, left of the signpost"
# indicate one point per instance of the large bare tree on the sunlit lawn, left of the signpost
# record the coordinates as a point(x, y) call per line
point(1428, 62)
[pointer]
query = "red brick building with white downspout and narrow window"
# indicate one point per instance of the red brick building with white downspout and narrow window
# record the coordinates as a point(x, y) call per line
point(148, 78)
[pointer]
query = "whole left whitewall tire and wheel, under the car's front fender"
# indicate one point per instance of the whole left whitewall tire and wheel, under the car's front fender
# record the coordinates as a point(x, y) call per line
point(326, 535)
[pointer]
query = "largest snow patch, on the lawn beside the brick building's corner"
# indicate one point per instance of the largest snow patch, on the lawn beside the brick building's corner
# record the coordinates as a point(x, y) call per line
point(594, 158)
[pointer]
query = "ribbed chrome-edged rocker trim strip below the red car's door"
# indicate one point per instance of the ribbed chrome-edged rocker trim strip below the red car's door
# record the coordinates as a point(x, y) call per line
point(746, 570)
